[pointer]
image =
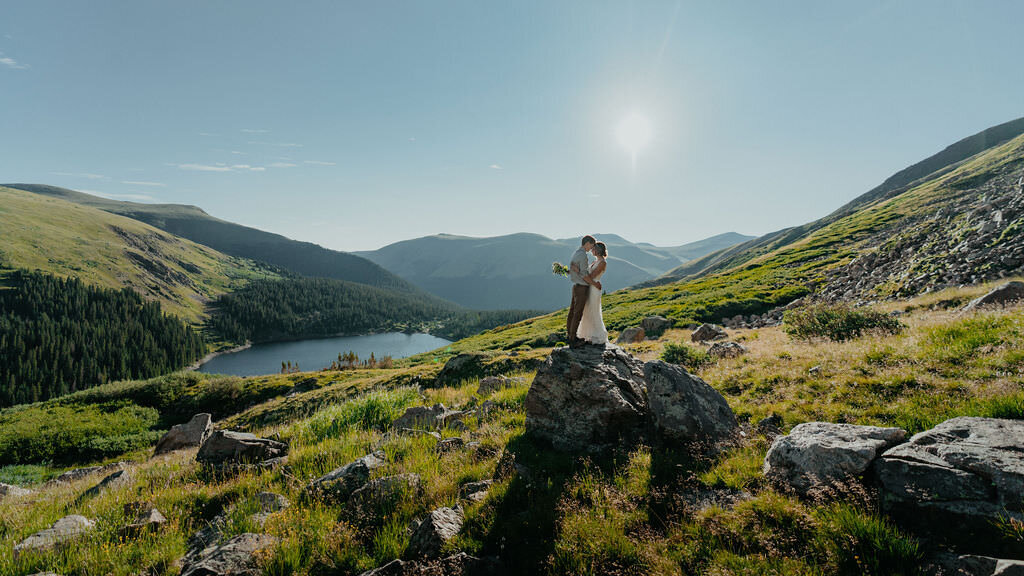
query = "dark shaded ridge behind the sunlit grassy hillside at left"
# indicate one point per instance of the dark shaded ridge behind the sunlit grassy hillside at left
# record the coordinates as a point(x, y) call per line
point(304, 259)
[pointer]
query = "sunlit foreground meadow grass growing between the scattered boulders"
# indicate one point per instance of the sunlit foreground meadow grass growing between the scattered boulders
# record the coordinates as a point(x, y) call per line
point(625, 514)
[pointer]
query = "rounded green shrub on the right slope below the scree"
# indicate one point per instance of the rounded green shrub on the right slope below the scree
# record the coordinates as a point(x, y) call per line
point(838, 322)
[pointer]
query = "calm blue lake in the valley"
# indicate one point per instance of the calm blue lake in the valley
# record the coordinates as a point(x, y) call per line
point(318, 354)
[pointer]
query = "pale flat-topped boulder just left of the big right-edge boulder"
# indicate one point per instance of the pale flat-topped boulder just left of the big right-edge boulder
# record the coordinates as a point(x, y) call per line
point(817, 456)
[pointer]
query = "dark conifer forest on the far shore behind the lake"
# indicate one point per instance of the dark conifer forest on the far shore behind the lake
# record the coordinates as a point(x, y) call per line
point(275, 310)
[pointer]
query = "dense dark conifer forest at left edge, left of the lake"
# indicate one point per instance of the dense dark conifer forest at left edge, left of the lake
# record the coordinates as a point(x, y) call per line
point(59, 336)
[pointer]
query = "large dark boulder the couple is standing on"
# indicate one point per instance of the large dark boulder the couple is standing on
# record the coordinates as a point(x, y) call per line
point(588, 399)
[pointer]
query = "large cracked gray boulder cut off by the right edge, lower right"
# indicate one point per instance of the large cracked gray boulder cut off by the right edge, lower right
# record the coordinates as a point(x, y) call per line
point(965, 473)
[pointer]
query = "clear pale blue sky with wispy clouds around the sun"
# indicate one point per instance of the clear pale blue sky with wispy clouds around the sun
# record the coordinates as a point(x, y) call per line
point(358, 125)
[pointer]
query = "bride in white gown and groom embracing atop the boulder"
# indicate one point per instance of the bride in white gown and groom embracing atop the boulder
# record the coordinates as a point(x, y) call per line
point(586, 323)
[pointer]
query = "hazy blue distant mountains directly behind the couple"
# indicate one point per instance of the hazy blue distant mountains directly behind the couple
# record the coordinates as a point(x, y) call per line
point(515, 271)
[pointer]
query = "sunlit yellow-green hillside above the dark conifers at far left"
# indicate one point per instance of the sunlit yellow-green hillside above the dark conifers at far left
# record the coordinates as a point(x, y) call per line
point(66, 239)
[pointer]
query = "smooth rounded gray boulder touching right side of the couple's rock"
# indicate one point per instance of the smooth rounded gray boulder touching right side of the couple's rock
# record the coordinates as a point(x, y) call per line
point(685, 408)
